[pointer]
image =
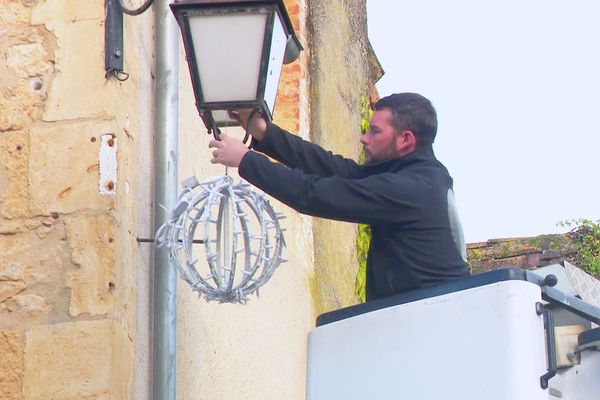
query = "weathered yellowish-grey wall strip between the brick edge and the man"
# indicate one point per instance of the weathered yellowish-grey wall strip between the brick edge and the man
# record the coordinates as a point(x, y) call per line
point(341, 73)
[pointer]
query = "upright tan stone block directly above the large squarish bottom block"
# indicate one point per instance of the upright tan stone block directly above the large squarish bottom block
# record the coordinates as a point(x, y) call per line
point(93, 283)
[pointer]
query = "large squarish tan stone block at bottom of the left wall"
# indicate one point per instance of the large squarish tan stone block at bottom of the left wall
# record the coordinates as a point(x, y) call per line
point(69, 361)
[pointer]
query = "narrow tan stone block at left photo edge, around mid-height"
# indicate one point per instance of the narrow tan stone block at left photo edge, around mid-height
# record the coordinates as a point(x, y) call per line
point(14, 158)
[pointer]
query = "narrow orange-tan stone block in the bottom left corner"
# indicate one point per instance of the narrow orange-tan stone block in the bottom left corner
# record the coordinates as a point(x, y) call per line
point(11, 364)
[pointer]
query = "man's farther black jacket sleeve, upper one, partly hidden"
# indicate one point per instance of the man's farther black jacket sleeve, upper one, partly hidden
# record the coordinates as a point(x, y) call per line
point(295, 152)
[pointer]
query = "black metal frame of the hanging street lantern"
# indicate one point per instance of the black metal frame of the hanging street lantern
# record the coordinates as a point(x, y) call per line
point(184, 9)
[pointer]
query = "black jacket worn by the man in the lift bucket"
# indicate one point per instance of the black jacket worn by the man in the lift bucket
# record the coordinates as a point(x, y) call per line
point(408, 201)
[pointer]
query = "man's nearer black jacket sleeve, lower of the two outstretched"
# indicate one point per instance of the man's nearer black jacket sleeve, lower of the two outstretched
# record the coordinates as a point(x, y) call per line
point(376, 199)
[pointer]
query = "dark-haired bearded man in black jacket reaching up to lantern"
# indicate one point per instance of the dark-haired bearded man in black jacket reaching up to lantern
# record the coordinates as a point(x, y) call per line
point(402, 191)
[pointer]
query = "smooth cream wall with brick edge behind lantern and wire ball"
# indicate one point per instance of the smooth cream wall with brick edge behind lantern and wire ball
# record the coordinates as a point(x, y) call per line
point(257, 350)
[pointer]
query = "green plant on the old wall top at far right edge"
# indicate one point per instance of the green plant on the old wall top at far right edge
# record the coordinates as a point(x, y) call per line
point(585, 234)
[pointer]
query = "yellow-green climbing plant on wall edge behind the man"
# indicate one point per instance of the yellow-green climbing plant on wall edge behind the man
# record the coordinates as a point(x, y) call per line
point(363, 238)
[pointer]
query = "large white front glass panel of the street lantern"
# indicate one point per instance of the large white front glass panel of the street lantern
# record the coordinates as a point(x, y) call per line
point(228, 50)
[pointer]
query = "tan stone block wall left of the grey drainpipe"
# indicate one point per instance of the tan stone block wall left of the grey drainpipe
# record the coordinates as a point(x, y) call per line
point(69, 259)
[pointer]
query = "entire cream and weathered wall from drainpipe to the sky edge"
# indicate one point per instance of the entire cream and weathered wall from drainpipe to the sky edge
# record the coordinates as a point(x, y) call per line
point(257, 351)
